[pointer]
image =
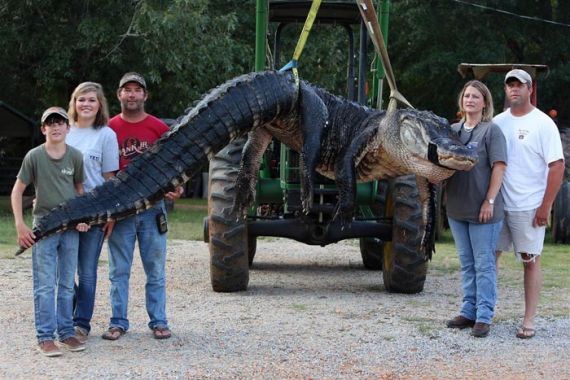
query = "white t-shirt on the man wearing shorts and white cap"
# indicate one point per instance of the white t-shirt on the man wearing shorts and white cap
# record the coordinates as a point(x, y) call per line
point(533, 142)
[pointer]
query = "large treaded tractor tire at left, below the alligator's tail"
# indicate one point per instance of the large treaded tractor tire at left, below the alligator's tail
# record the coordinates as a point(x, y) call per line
point(228, 239)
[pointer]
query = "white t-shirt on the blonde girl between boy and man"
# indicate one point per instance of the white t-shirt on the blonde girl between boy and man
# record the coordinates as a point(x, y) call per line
point(100, 152)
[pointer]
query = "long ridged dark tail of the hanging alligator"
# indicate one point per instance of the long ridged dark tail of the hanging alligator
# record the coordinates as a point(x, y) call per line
point(225, 113)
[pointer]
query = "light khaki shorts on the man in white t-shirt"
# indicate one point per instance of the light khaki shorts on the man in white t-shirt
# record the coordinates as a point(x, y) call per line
point(519, 231)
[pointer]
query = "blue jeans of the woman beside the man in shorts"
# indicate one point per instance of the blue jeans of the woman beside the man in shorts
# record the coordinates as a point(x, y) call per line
point(476, 245)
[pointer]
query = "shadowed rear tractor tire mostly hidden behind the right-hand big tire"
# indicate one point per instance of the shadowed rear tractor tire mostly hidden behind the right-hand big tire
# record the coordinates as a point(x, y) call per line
point(372, 249)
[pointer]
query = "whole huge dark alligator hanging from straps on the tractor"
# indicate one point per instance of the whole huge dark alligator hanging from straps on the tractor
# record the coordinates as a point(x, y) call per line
point(338, 138)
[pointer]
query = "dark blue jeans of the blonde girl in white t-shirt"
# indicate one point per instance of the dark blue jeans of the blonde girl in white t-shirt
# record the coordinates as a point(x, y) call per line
point(90, 244)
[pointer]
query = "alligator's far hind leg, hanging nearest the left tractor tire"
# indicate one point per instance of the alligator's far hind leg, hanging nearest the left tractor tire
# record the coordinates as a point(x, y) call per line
point(257, 142)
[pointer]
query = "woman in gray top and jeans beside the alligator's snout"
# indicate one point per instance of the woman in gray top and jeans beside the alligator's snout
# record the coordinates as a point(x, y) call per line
point(475, 208)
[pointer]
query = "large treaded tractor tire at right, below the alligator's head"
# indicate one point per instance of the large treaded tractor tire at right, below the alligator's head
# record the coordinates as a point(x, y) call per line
point(405, 266)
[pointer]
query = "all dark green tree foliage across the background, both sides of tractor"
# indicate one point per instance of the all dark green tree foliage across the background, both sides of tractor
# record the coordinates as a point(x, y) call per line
point(185, 47)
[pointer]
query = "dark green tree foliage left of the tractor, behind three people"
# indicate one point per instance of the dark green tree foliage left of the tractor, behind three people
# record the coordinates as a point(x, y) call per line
point(182, 47)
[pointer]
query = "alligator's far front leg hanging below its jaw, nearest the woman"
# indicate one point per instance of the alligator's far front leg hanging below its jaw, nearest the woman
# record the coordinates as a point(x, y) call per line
point(427, 194)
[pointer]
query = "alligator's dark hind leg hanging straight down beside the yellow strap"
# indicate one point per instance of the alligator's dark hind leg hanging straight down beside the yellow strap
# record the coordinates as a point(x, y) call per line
point(313, 121)
